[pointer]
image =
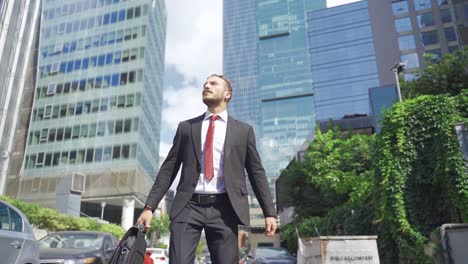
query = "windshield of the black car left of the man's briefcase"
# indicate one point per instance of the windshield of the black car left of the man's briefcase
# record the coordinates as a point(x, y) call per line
point(85, 241)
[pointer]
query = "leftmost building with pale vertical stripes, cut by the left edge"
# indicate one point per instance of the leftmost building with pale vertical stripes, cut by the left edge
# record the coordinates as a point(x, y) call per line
point(19, 22)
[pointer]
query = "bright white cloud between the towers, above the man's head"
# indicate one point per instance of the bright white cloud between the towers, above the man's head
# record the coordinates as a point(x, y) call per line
point(194, 38)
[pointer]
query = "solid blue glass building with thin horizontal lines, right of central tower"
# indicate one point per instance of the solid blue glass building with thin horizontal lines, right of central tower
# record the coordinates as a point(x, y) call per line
point(343, 59)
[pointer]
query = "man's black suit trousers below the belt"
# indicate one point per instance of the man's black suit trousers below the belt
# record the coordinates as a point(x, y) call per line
point(220, 223)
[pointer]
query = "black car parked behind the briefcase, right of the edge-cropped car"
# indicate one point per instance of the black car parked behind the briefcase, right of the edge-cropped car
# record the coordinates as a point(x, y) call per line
point(77, 247)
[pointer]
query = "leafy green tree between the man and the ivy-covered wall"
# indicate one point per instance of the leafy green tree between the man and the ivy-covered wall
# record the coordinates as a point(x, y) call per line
point(331, 188)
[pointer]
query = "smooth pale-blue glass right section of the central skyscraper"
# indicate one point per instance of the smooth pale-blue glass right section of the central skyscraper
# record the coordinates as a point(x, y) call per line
point(285, 80)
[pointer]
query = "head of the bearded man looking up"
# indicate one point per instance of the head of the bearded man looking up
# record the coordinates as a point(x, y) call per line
point(215, 91)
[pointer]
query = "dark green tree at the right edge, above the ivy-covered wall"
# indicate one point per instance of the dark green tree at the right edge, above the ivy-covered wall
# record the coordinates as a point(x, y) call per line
point(448, 76)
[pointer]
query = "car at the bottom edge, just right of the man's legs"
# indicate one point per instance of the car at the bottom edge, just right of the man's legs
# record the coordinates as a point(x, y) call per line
point(271, 255)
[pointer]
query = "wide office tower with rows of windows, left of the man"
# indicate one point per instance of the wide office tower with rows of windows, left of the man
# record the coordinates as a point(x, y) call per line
point(97, 102)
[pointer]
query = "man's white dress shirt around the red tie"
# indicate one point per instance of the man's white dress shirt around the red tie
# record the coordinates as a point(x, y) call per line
point(216, 185)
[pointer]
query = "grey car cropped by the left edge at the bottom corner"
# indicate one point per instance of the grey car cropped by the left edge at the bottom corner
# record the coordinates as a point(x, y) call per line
point(17, 242)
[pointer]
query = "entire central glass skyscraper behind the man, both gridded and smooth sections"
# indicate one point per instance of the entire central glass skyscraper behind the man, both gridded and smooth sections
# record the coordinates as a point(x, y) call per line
point(266, 58)
